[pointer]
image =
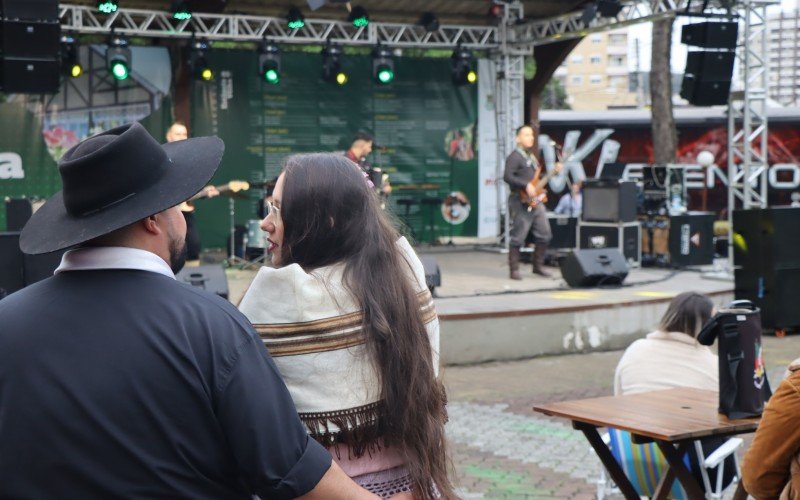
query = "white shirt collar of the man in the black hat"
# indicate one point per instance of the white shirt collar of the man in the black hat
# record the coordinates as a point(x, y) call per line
point(97, 258)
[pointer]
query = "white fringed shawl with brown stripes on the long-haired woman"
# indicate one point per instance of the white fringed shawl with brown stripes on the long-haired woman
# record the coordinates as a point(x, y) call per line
point(312, 328)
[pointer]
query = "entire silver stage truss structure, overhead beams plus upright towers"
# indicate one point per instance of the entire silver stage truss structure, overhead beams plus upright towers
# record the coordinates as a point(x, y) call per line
point(508, 44)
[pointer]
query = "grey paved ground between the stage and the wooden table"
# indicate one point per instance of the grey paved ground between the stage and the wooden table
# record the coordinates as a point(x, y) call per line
point(501, 449)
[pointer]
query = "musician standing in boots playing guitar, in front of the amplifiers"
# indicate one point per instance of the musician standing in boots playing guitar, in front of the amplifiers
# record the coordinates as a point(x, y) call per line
point(521, 174)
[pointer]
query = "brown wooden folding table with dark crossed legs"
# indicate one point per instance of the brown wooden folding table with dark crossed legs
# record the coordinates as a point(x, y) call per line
point(673, 418)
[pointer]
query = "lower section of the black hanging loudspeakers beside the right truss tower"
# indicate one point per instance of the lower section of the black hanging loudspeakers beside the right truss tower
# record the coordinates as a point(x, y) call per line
point(707, 79)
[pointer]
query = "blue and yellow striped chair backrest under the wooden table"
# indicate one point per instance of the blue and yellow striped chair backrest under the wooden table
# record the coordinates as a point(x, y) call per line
point(644, 464)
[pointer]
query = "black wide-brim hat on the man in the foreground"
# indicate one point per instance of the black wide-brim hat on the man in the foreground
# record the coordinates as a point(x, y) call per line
point(116, 178)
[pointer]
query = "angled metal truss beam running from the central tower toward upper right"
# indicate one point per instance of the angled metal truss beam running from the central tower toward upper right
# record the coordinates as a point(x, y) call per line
point(571, 26)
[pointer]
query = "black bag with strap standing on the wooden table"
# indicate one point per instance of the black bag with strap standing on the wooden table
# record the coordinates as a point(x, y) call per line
point(743, 384)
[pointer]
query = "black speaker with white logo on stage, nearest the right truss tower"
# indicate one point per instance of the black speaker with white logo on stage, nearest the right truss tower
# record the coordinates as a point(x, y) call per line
point(691, 239)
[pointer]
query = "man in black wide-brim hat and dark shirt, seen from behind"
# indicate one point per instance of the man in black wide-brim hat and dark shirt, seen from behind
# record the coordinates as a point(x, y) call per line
point(116, 381)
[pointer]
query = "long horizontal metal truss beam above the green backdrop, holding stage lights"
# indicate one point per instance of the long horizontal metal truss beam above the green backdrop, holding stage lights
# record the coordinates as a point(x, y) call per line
point(235, 27)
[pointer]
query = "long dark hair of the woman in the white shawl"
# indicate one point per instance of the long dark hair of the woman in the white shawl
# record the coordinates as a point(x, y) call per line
point(330, 215)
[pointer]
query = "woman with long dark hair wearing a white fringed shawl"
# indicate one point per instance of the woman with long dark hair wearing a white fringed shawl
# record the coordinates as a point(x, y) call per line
point(351, 325)
